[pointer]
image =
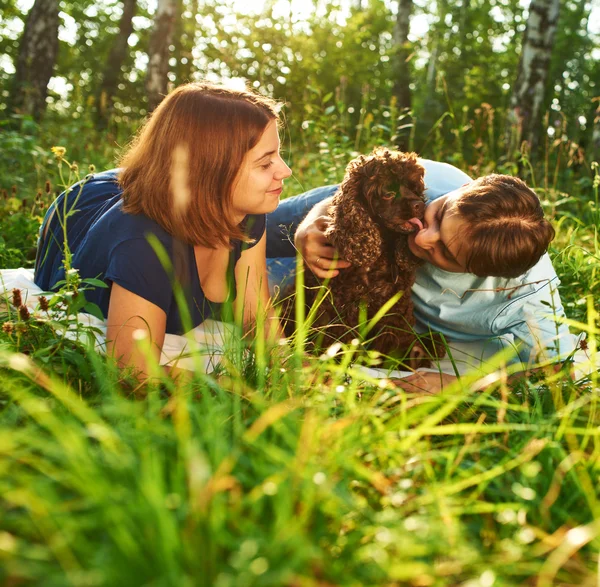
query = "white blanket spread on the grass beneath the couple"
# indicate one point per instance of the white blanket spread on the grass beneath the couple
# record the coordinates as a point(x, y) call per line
point(202, 348)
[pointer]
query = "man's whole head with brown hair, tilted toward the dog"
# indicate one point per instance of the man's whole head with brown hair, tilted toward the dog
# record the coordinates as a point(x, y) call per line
point(493, 226)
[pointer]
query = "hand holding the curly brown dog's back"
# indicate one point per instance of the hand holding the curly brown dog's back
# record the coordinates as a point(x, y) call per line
point(319, 255)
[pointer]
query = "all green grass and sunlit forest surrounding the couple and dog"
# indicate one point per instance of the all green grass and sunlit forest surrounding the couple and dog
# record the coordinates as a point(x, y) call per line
point(284, 474)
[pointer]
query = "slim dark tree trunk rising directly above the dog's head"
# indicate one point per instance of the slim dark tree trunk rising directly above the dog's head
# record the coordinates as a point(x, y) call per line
point(402, 75)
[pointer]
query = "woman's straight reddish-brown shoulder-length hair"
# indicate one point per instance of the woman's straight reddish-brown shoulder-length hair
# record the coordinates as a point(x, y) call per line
point(181, 167)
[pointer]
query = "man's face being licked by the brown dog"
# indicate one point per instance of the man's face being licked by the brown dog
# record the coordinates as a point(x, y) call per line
point(441, 241)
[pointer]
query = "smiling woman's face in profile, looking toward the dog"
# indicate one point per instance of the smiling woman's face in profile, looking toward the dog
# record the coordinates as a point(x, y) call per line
point(260, 180)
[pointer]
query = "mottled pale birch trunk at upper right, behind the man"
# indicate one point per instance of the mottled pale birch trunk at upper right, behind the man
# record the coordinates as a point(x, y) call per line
point(528, 94)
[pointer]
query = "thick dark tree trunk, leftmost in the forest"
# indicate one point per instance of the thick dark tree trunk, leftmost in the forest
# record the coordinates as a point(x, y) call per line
point(38, 51)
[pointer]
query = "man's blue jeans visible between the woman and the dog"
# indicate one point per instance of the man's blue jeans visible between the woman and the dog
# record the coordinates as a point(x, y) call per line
point(281, 228)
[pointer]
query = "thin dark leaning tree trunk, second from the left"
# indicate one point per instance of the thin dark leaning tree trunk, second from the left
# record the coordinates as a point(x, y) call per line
point(116, 58)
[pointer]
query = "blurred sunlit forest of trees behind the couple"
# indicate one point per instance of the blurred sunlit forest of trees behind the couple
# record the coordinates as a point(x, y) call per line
point(465, 81)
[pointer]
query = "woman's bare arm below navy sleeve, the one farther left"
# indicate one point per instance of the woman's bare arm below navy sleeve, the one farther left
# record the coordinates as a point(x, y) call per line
point(132, 319)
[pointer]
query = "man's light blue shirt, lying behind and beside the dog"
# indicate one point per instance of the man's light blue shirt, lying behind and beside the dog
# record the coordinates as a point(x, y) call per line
point(467, 308)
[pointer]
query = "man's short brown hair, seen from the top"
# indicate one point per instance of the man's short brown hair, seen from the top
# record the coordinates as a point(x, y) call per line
point(505, 227)
